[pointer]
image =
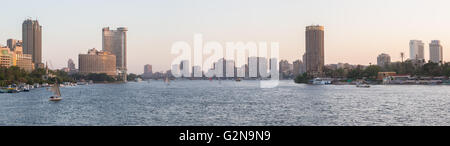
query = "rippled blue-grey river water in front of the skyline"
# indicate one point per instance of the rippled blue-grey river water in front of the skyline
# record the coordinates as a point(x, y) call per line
point(229, 103)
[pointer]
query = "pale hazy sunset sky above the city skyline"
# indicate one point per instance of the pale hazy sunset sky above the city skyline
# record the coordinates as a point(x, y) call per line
point(356, 31)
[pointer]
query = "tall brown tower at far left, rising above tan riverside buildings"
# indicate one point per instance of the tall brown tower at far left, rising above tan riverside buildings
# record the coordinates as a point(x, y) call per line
point(32, 40)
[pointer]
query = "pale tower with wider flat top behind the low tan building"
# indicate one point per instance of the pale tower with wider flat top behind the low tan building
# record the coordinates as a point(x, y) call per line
point(115, 41)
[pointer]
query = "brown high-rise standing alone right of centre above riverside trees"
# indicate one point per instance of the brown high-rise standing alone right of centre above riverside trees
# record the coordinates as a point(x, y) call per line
point(314, 58)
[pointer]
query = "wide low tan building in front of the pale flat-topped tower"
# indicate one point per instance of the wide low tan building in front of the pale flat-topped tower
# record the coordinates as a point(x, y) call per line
point(97, 62)
